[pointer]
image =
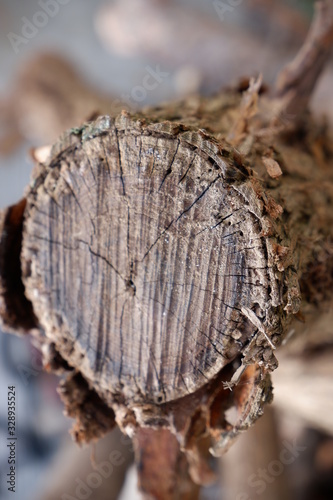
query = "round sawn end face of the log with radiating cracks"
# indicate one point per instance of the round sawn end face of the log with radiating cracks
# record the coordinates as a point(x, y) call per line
point(142, 250)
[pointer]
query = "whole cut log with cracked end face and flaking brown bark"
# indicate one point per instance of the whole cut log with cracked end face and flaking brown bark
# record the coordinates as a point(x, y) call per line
point(163, 267)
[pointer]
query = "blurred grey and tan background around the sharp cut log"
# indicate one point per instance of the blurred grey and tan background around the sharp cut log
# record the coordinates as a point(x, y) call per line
point(61, 61)
